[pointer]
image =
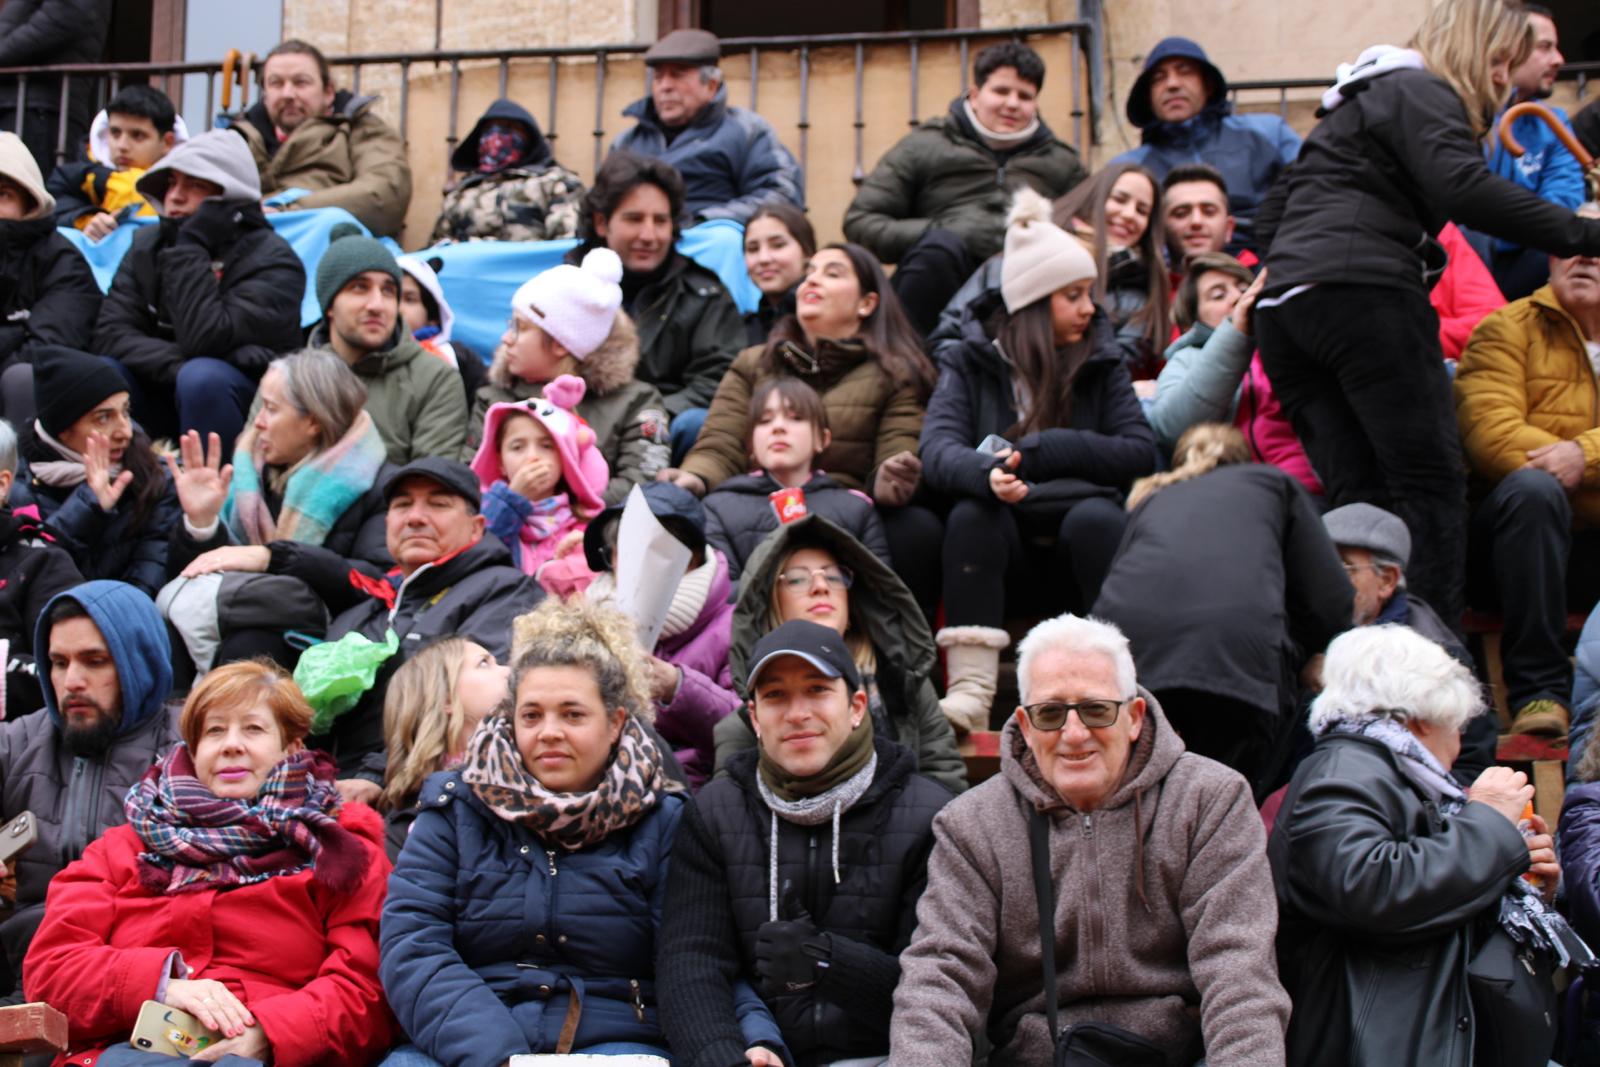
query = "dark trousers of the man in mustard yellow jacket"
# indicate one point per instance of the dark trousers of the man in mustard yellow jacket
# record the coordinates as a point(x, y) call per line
point(1527, 561)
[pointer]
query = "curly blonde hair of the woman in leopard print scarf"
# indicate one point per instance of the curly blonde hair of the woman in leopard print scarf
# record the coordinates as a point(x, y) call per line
point(583, 634)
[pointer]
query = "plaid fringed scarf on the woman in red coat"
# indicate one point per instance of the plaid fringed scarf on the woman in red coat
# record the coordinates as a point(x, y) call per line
point(199, 841)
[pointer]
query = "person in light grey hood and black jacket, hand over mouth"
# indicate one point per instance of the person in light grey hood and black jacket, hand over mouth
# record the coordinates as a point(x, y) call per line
point(207, 298)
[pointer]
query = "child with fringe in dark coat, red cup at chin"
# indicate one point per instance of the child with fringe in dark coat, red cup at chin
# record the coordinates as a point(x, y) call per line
point(788, 433)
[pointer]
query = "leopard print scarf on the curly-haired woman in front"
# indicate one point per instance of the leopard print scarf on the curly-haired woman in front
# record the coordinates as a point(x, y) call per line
point(631, 786)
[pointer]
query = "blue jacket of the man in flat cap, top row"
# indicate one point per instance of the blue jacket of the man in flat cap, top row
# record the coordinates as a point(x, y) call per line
point(732, 159)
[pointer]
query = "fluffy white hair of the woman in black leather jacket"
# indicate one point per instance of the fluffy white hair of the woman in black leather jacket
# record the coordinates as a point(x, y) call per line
point(1398, 673)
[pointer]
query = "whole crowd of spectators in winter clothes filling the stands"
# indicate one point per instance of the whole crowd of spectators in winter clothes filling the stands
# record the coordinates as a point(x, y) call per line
point(382, 701)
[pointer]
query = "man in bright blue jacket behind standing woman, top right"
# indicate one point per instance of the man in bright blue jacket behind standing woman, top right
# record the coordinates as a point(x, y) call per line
point(1545, 167)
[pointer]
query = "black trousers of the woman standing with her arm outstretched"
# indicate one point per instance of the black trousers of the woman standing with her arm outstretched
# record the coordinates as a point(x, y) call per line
point(1362, 378)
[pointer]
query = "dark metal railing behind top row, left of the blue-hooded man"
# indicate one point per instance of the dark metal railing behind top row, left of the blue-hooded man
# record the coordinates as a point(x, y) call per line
point(102, 82)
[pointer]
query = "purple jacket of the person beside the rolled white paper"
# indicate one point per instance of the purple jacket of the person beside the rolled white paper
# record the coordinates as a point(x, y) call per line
point(706, 693)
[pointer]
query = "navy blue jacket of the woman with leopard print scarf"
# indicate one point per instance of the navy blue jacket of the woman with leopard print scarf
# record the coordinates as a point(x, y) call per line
point(489, 935)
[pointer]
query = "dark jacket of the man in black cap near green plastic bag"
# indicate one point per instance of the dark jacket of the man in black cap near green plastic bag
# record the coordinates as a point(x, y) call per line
point(474, 594)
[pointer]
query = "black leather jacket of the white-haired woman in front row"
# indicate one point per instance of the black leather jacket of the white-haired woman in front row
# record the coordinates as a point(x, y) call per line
point(1382, 905)
